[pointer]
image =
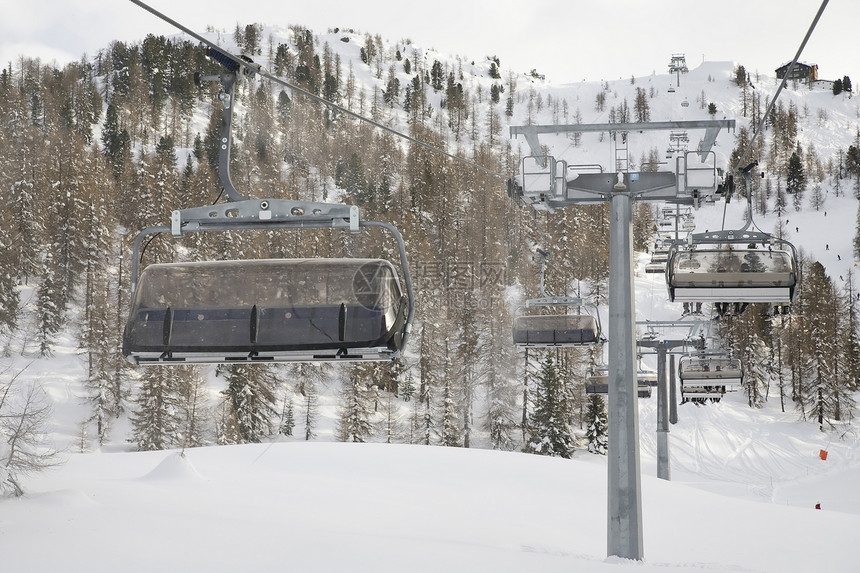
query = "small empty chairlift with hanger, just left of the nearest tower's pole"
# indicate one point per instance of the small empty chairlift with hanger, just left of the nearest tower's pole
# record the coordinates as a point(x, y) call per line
point(537, 330)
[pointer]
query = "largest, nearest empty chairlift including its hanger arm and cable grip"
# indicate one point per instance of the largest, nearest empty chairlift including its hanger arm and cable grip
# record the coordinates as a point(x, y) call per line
point(265, 310)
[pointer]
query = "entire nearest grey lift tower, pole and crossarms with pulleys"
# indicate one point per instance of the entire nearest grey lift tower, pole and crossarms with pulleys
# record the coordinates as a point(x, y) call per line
point(545, 183)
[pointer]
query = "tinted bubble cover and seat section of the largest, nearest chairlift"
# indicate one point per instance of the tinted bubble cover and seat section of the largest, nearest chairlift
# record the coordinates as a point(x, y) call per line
point(266, 310)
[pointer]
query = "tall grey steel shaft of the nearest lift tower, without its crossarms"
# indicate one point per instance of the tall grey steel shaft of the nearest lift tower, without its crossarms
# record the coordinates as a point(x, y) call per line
point(624, 491)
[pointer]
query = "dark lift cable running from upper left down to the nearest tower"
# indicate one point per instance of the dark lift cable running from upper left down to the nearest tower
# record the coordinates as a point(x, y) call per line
point(249, 68)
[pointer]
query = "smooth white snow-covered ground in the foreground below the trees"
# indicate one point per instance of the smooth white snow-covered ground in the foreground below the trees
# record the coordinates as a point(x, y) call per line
point(741, 499)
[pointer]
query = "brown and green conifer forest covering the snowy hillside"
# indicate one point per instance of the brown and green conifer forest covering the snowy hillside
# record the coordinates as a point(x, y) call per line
point(95, 151)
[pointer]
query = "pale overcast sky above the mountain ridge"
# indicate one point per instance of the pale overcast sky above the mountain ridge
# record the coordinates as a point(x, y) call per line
point(567, 40)
